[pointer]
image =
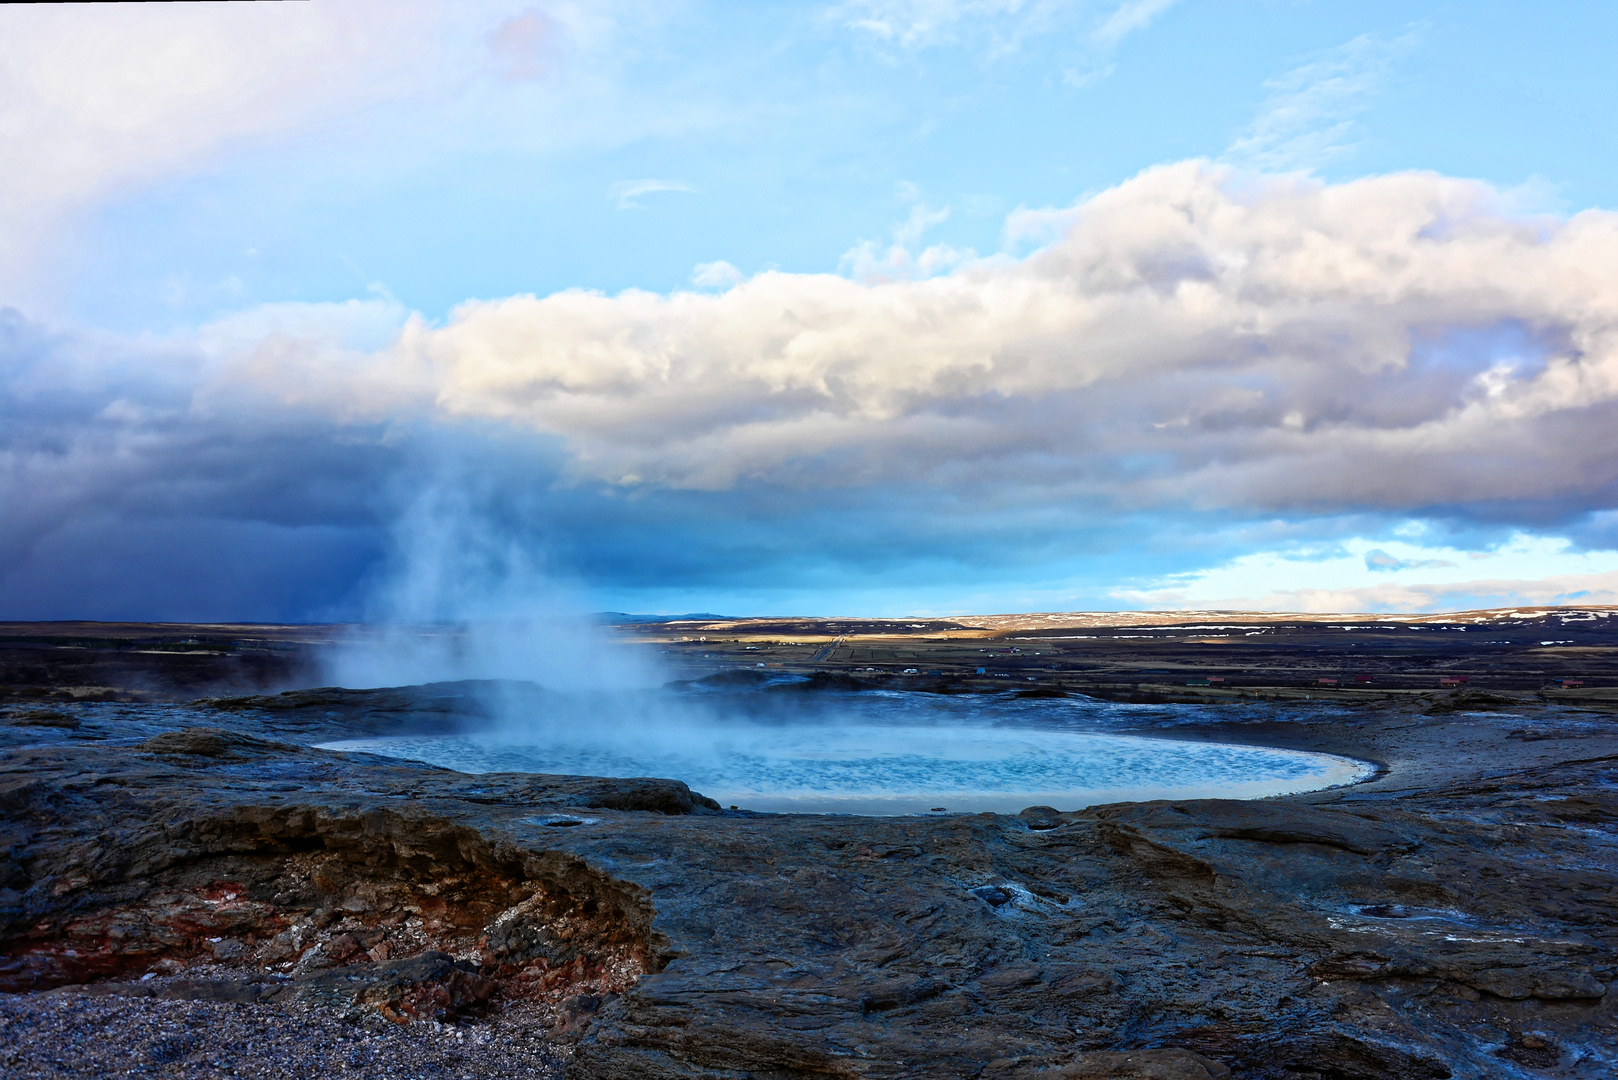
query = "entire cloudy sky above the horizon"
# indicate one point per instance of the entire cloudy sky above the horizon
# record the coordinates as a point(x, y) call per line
point(863, 308)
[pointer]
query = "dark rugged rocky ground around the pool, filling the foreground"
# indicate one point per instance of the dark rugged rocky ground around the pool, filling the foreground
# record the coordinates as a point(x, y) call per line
point(197, 891)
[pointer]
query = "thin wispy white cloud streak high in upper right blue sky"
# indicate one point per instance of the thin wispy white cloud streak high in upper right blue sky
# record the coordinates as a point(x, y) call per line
point(1308, 117)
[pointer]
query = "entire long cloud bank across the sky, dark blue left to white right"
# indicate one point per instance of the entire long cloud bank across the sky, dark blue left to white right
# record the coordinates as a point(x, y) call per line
point(1193, 342)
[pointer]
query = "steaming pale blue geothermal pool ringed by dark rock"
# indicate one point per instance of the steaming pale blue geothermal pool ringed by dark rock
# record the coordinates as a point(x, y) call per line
point(881, 754)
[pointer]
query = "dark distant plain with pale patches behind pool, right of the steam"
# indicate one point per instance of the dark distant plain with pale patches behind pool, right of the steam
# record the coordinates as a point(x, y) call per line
point(1154, 657)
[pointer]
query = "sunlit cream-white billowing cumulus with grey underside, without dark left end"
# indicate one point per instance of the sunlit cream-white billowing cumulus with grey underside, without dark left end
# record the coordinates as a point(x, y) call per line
point(1198, 338)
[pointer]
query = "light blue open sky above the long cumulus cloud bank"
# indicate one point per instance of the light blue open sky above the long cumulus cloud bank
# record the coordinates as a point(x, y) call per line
point(789, 135)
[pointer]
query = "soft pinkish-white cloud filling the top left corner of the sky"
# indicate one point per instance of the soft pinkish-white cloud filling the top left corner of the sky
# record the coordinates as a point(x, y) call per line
point(101, 100)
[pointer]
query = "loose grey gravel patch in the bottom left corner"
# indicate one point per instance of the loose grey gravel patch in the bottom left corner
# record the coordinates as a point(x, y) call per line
point(72, 1034)
